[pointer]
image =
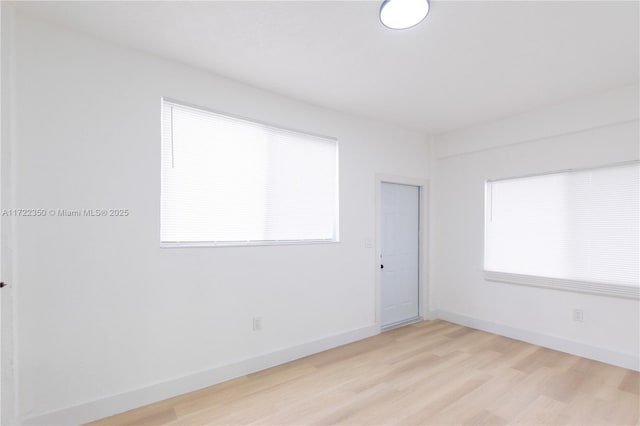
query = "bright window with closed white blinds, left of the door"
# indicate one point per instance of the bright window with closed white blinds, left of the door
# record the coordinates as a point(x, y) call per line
point(229, 181)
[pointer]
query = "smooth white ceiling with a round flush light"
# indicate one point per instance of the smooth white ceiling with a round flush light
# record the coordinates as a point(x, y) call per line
point(468, 62)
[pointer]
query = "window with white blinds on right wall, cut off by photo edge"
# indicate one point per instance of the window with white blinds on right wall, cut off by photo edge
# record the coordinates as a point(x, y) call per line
point(574, 230)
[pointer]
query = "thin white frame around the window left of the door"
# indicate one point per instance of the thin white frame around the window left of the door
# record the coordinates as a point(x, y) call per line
point(247, 243)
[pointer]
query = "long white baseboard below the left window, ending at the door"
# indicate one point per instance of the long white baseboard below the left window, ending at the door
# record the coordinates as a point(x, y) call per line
point(114, 404)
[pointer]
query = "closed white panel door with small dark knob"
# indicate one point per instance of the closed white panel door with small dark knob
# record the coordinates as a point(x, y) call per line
point(399, 257)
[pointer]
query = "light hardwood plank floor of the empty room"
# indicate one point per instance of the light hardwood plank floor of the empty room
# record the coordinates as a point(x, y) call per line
point(431, 372)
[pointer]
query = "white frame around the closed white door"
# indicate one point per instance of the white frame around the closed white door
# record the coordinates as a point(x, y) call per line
point(423, 245)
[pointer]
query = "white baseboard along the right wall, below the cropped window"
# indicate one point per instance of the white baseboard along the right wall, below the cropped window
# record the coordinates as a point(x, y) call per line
point(620, 359)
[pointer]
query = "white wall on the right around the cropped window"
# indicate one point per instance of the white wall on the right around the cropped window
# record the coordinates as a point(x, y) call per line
point(593, 131)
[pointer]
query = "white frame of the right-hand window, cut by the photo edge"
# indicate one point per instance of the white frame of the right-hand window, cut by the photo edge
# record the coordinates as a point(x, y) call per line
point(576, 286)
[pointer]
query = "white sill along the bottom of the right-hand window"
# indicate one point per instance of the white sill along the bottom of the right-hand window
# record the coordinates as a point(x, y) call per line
point(602, 289)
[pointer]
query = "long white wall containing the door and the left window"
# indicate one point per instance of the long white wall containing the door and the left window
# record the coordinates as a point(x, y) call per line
point(100, 309)
